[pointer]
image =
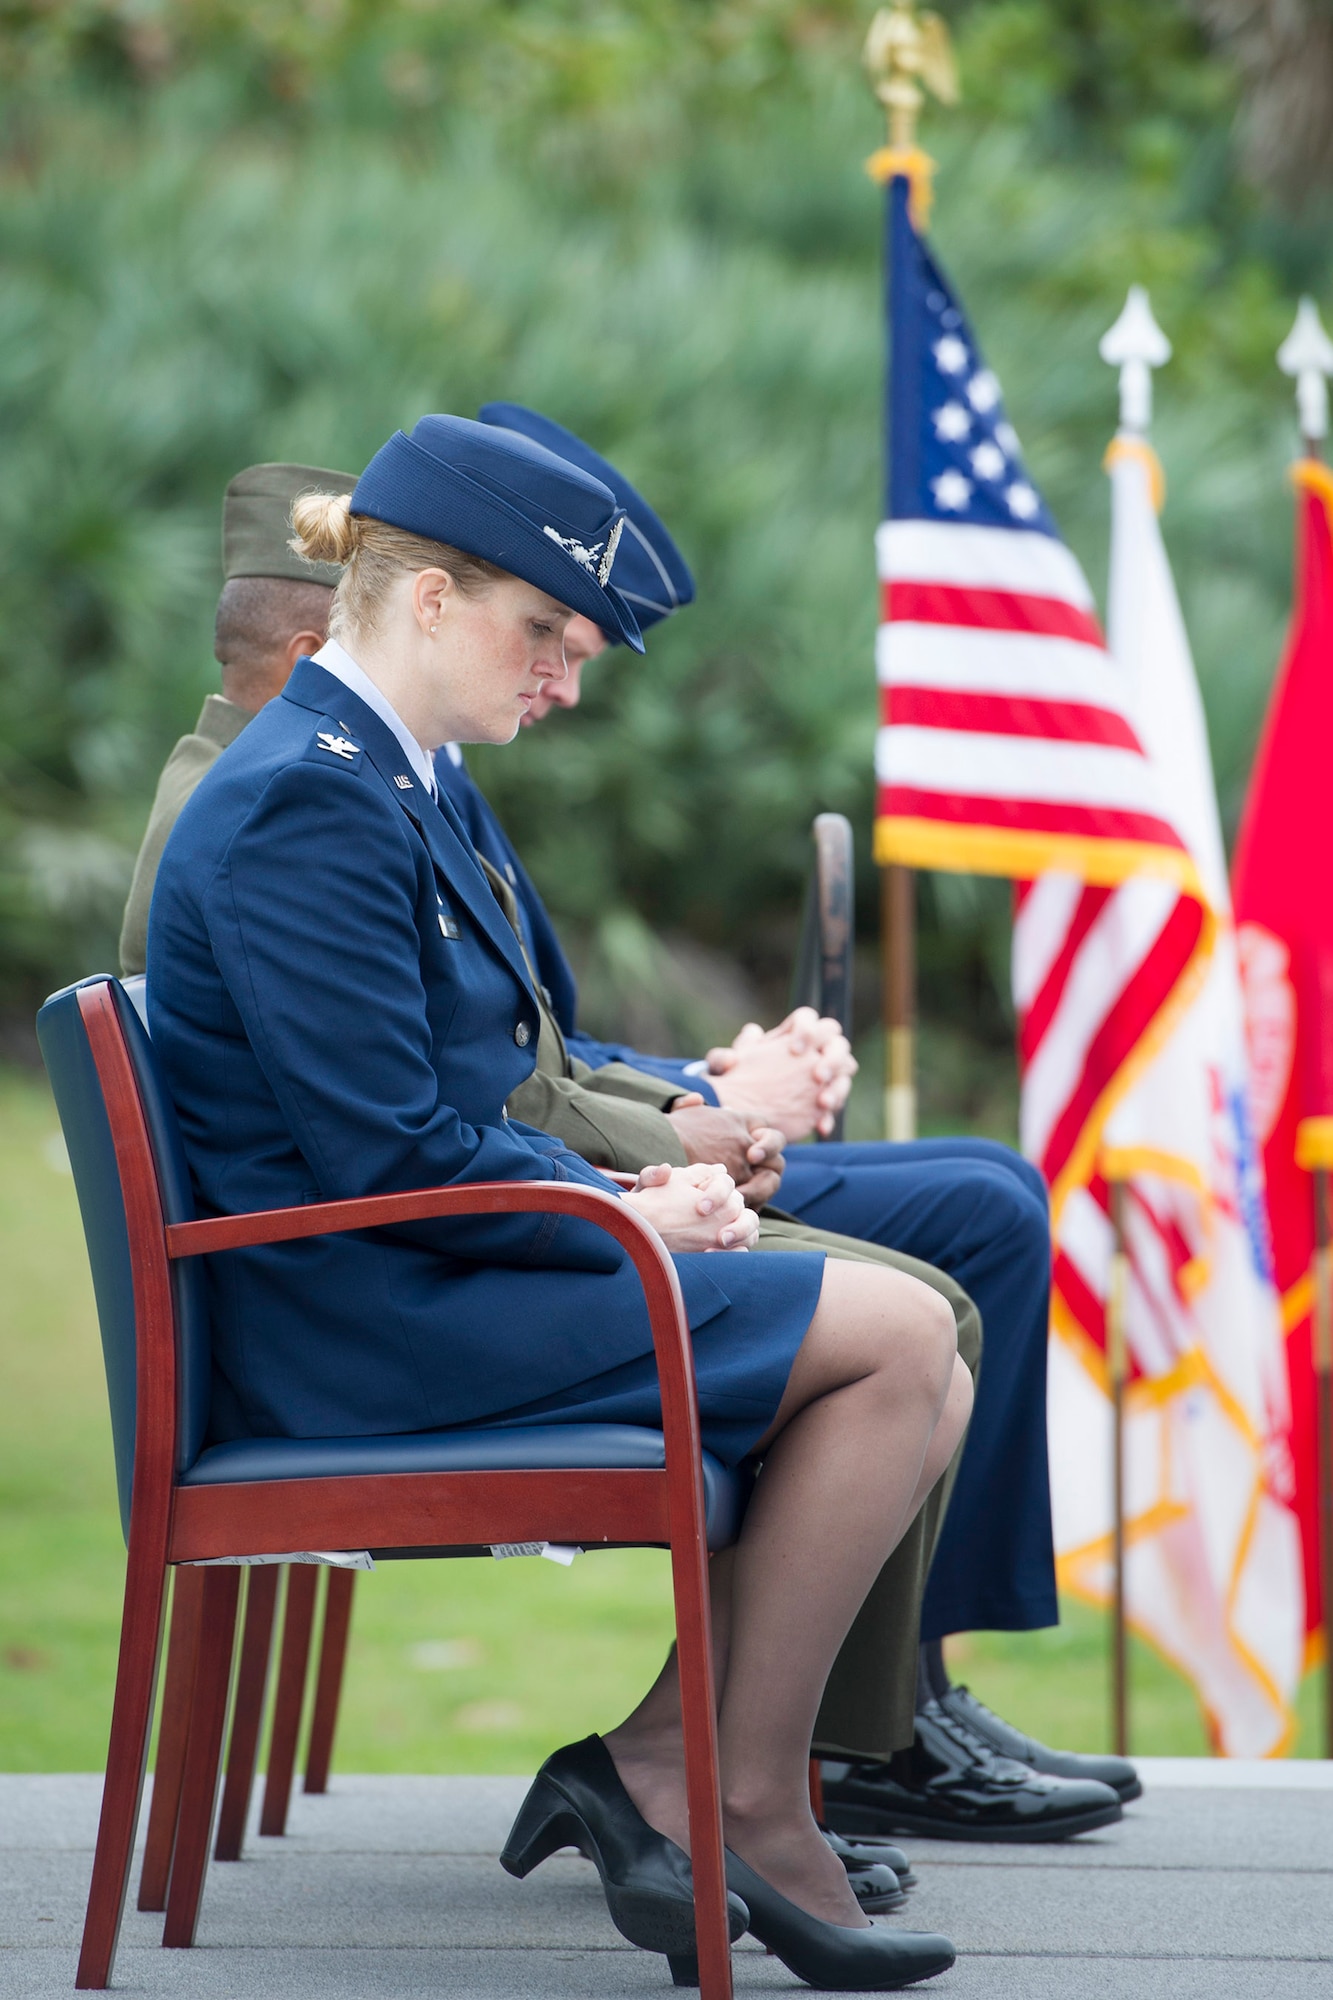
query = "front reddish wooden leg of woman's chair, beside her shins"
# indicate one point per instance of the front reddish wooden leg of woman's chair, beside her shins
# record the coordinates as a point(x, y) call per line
point(690, 1575)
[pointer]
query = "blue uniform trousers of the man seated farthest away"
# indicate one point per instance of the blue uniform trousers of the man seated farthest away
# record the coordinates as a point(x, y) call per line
point(980, 1213)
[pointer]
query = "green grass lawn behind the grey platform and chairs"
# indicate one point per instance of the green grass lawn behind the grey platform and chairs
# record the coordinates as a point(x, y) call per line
point(455, 1667)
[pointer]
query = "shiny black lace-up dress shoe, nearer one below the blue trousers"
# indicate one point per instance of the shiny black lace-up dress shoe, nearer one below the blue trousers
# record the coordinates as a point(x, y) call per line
point(954, 1787)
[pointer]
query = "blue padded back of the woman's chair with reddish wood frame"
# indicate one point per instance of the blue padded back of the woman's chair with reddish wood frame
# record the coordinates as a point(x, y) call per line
point(97, 1153)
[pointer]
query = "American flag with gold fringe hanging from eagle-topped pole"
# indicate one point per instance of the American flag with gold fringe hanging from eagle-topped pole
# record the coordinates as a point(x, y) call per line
point(1008, 741)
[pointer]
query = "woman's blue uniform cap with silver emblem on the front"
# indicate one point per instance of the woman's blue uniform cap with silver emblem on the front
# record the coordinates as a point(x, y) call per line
point(511, 503)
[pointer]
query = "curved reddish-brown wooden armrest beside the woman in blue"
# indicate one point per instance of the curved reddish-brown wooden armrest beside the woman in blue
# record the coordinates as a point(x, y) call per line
point(657, 1275)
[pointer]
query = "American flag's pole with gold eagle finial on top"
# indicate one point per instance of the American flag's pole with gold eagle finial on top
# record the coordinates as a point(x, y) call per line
point(904, 51)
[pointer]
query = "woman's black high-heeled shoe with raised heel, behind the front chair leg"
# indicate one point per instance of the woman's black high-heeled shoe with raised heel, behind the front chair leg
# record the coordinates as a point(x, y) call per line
point(577, 1801)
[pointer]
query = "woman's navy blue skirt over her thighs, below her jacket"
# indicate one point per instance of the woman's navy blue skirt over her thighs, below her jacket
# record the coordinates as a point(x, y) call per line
point(744, 1359)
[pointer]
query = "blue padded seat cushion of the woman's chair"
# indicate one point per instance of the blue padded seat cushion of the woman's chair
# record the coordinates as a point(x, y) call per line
point(523, 1449)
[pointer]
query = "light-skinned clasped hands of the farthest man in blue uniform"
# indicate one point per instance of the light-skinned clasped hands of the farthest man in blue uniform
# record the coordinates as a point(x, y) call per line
point(796, 1077)
